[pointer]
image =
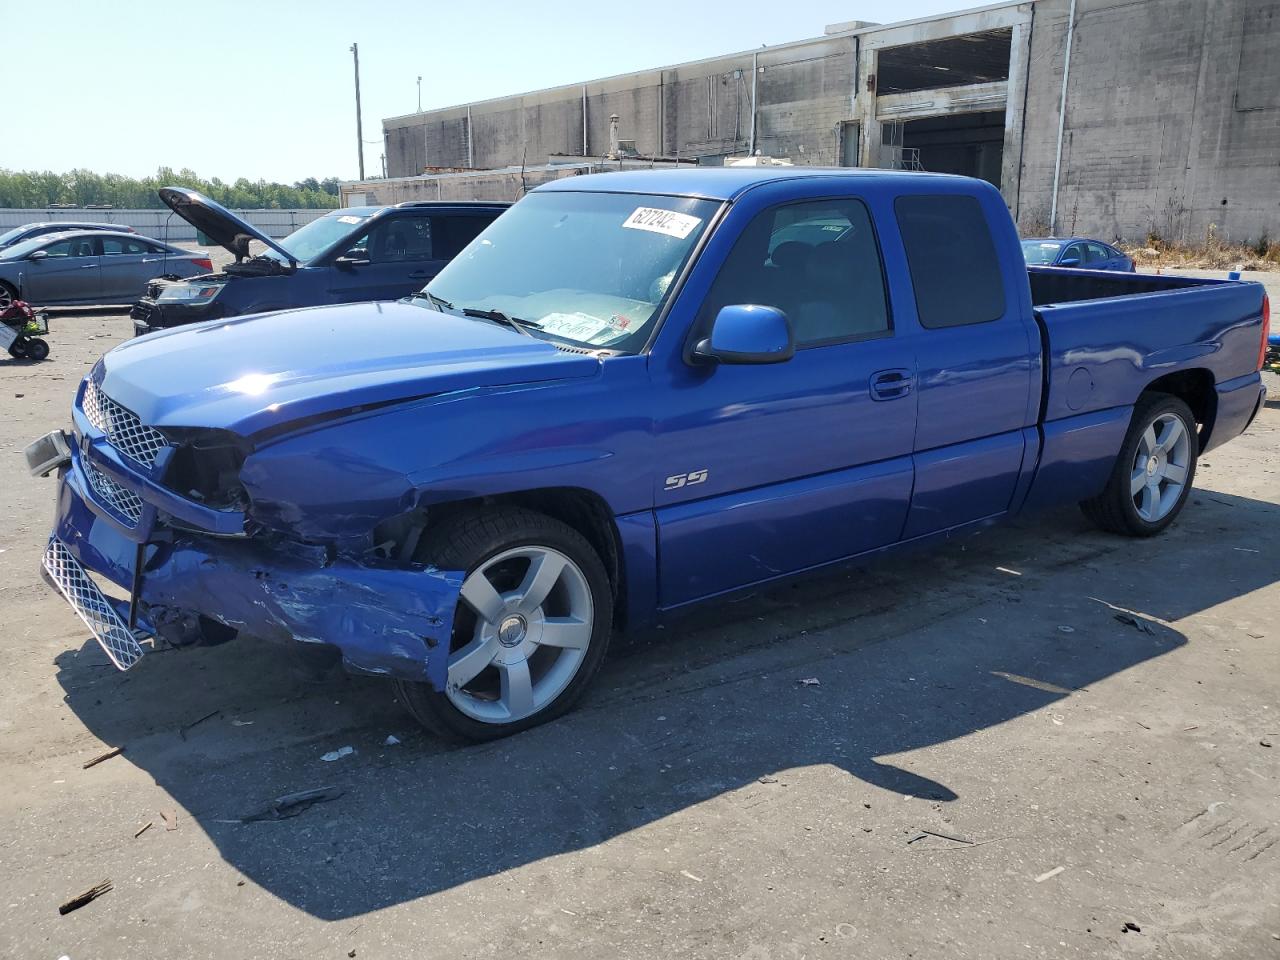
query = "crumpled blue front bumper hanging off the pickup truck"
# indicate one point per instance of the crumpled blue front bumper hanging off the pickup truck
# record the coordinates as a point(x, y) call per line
point(383, 619)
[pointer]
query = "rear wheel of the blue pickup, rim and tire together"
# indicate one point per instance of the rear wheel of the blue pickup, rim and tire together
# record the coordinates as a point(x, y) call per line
point(1154, 474)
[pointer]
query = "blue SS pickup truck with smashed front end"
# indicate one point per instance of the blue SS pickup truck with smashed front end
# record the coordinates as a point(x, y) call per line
point(632, 394)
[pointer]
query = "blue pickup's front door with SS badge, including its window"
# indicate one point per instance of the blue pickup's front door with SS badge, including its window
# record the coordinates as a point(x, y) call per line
point(770, 470)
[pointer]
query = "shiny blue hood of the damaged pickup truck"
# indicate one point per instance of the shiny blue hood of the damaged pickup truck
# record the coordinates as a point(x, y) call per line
point(262, 373)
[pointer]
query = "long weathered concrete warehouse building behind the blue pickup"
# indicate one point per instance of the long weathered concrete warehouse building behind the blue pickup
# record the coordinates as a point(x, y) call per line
point(1116, 118)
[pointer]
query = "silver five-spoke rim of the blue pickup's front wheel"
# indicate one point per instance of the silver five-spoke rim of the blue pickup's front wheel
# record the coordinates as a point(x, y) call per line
point(531, 627)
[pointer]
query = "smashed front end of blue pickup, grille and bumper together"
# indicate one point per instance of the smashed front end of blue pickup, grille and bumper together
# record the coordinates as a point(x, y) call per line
point(163, 516)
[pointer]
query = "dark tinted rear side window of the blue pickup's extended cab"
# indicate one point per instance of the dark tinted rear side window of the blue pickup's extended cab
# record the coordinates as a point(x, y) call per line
point(953, 260)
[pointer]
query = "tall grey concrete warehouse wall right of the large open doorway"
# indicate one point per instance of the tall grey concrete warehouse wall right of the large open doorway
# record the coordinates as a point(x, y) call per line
point(1173, 120)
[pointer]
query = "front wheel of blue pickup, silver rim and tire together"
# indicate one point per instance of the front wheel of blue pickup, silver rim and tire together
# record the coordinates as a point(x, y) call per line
point(531, 630)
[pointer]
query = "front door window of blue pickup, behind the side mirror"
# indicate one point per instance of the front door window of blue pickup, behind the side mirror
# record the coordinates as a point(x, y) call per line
point(816, 262)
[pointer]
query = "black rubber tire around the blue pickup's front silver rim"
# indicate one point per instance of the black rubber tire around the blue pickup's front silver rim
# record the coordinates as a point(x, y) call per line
point(468, 542)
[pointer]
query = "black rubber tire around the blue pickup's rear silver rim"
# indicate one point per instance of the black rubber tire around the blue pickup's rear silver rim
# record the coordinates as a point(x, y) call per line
point(1114, 510)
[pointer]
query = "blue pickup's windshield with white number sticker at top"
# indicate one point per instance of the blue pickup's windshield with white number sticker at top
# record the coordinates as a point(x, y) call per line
point(593, 269)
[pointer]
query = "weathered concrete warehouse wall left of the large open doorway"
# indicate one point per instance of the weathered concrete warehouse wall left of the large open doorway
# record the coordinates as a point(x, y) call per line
point(702, 109)
